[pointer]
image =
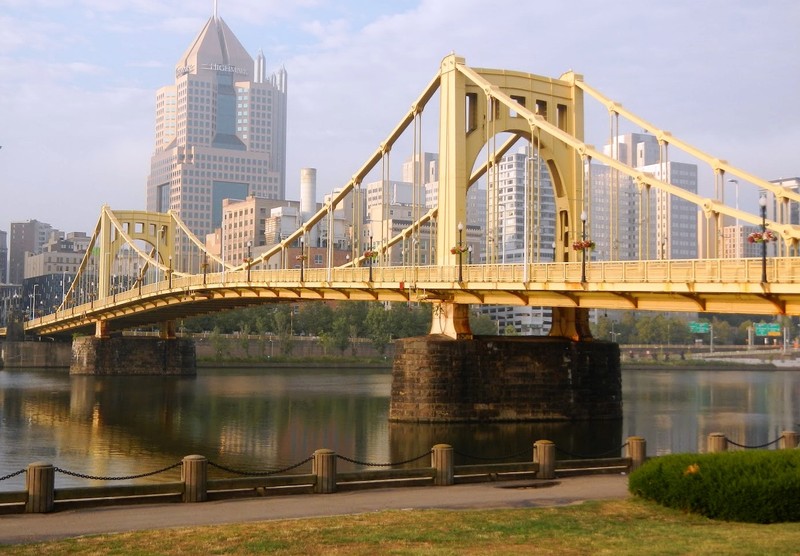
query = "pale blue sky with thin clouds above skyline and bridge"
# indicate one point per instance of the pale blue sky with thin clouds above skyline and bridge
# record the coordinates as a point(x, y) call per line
point(77, 94)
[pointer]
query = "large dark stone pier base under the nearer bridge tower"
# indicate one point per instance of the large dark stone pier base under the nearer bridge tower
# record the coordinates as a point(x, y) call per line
point(500, 378)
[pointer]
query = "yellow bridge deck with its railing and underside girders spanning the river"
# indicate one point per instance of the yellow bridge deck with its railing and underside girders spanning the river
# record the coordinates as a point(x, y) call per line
point(719, 285)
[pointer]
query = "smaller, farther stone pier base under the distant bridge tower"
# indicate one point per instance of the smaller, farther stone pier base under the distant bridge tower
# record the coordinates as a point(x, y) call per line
point(131, 355)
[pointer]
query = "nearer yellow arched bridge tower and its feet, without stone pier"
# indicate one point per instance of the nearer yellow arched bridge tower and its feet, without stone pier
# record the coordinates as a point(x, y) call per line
point(477, 105)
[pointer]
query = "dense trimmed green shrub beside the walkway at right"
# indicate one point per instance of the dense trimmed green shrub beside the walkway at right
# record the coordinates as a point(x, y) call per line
point(756, 487)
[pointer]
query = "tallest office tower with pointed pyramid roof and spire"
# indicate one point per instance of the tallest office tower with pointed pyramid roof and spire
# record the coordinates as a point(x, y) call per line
point(220, 131)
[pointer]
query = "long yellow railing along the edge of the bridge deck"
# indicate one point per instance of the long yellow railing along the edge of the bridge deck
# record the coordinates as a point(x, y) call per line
point(742, 275)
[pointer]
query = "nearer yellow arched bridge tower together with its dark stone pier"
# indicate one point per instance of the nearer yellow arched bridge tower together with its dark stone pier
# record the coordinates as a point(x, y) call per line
point(449, 376)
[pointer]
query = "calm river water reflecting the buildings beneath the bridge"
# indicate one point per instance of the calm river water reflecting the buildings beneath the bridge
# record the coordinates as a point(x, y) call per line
point(268, 419)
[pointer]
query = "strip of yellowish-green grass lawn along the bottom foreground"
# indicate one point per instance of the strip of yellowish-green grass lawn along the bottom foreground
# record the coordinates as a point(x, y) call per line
point(615, 527)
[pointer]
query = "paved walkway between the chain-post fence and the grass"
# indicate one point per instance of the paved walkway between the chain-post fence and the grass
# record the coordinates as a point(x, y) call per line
point(26, 528)
